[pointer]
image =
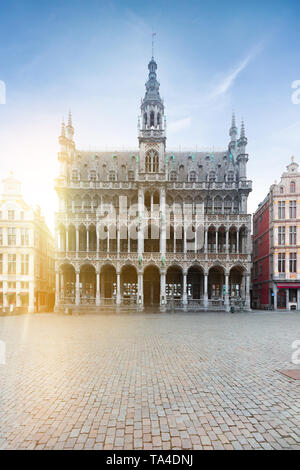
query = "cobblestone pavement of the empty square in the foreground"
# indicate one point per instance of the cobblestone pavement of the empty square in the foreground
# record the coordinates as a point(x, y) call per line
point(149, 381)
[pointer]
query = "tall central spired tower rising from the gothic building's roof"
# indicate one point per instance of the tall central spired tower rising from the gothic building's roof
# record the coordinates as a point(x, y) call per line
point(152, 126)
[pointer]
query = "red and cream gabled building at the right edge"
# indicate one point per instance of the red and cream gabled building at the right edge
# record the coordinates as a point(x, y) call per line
point(276, 240)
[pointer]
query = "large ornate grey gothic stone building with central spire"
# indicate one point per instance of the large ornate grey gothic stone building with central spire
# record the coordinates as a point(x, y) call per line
point(151, 226)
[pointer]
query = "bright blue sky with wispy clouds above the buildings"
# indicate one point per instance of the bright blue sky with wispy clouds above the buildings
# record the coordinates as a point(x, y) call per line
point(91, 57)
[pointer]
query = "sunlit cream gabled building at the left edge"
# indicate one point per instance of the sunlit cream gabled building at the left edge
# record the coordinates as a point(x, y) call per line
point(27, 277)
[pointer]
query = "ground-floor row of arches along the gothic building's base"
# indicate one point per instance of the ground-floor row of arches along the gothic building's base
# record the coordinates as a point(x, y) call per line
point(176, 287)
